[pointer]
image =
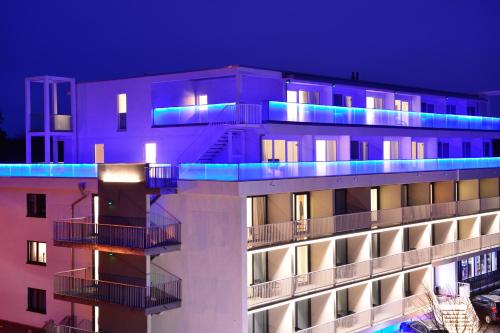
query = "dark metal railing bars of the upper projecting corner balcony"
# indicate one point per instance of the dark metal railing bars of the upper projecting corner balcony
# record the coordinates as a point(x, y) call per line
point(84, 231)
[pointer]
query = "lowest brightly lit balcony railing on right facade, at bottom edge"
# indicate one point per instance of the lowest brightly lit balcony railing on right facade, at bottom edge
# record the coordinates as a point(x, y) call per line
point(415, 304)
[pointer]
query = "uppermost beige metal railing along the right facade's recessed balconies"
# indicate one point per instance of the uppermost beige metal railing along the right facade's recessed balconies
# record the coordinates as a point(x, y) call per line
point(285, 232)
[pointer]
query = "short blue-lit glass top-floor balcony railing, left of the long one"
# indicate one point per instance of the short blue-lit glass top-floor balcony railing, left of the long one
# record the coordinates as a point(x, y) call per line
point(213, 114)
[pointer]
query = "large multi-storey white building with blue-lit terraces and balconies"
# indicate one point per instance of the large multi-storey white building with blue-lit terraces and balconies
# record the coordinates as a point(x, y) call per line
point(246, 200)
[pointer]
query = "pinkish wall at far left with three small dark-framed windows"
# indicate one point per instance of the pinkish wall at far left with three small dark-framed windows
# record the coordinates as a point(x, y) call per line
point(18, 229)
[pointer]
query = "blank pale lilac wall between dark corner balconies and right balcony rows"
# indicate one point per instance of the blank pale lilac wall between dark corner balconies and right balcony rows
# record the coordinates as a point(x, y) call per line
point(214, 291)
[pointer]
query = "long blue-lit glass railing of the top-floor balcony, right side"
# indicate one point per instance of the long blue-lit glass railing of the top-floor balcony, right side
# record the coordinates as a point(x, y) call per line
point(337, 115)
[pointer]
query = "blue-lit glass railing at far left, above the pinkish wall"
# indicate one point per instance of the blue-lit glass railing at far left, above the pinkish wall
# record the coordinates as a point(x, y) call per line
point(49, 170)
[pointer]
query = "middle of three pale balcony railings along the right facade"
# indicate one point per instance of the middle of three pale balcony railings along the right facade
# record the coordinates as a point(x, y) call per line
point(277, 290)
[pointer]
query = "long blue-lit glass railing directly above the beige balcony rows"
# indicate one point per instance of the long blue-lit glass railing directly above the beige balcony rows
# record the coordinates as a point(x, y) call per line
point(263, 171)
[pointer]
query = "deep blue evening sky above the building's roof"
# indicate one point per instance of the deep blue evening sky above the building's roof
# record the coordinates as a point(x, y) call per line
point(445, 44)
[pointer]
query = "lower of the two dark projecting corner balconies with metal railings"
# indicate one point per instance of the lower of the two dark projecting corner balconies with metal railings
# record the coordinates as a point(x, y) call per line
point(80, 287)
